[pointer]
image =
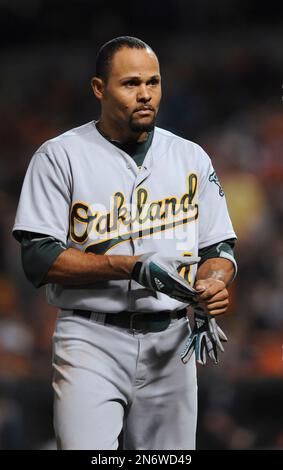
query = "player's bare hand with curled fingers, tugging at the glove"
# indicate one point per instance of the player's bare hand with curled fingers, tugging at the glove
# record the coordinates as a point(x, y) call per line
point(212, 295)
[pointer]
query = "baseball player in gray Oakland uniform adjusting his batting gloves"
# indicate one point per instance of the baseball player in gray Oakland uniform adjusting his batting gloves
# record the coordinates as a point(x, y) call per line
point(127, 225)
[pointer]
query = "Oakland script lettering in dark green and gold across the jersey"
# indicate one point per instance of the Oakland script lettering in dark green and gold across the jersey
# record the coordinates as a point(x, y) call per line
point(127, 221)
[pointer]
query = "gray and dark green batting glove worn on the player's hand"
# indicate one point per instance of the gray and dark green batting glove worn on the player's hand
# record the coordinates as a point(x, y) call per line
point(160, 273)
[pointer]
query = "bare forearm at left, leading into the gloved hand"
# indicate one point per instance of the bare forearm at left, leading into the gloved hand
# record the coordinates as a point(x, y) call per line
point(73, 267)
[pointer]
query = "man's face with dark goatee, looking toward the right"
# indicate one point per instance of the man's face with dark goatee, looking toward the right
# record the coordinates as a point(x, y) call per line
point(131, 96)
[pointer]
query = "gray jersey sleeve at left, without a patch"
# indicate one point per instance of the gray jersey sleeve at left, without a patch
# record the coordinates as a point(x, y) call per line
point(45, 197)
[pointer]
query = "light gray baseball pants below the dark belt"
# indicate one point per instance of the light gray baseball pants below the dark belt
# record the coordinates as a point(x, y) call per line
point(107, 378)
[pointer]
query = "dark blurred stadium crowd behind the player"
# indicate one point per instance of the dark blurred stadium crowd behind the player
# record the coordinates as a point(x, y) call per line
point(221, 65)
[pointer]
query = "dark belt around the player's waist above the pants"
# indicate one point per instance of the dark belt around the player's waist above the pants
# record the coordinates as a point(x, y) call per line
point(135, 321)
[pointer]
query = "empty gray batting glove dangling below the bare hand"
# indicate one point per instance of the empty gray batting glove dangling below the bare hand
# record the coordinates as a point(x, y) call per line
point(205, 339)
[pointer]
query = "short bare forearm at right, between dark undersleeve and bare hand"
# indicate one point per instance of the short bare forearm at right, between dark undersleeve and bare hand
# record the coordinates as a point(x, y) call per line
point(216, 268)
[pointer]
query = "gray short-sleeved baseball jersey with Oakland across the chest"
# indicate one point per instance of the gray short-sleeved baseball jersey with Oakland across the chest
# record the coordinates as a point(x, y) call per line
point(90, 195)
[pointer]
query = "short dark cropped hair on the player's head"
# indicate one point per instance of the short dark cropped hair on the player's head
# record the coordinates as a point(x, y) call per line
point(107, 51)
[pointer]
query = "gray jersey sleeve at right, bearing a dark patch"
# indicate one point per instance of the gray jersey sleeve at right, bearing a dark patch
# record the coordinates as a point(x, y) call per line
point(214, 221)
